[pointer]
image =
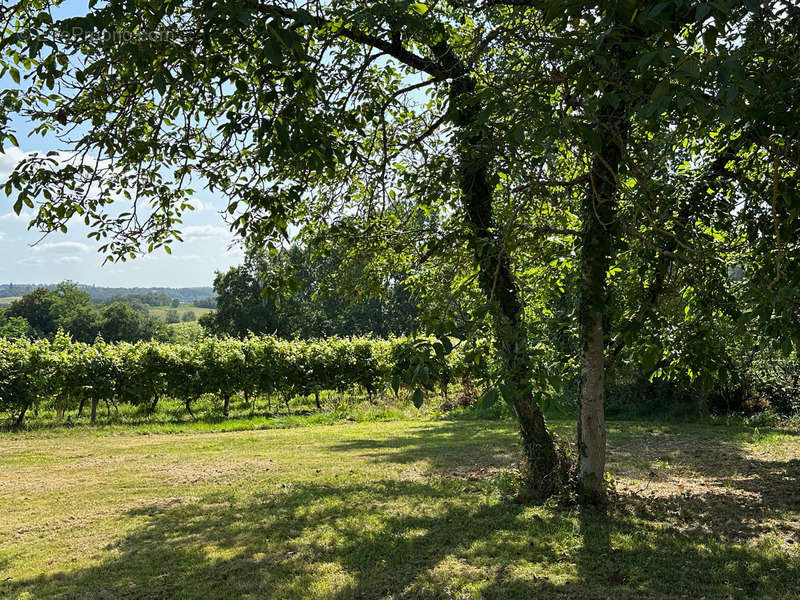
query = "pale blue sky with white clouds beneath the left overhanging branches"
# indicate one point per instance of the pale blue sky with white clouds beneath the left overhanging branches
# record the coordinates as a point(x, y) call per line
point(24, 258)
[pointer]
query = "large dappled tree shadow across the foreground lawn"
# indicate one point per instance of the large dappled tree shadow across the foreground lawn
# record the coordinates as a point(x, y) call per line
point(325, 542)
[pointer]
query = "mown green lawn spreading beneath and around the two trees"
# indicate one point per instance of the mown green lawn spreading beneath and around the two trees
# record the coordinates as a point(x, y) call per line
point(403, 509)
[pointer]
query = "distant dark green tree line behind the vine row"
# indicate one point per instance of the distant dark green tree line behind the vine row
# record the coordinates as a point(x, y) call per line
point(243, 304)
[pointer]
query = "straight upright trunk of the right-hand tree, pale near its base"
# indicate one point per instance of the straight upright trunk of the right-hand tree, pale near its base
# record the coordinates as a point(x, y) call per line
point(598, 235)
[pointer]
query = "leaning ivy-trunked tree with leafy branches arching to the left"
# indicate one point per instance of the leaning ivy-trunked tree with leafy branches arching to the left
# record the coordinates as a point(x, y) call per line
point(291, 117)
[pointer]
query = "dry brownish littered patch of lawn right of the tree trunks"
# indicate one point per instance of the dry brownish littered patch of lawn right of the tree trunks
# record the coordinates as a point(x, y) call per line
point(743, 493)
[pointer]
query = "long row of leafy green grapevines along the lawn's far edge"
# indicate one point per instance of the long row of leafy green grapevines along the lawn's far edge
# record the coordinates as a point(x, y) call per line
point(64, 374)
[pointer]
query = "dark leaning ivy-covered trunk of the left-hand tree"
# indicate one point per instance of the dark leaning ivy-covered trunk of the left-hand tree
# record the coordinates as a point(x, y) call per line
point(498, 284)
